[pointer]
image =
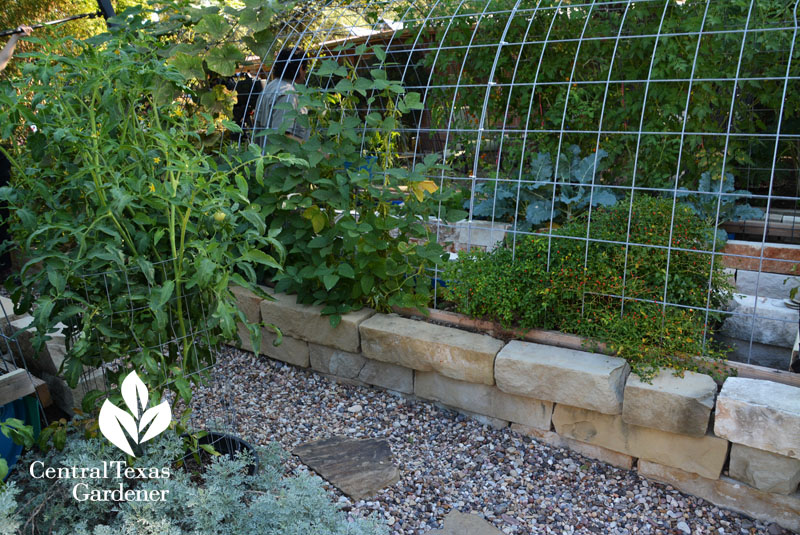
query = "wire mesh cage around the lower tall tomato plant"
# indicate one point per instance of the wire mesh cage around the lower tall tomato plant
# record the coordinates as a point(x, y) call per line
point(166, 341)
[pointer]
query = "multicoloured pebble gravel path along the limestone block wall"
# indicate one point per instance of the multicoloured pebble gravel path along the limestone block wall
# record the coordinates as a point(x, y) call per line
point(450, 461)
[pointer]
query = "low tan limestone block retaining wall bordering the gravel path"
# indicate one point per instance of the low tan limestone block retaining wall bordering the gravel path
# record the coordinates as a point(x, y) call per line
point(738, 448)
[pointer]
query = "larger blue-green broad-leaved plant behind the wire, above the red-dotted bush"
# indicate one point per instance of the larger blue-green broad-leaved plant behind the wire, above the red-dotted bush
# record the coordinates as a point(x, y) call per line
point(534, 197)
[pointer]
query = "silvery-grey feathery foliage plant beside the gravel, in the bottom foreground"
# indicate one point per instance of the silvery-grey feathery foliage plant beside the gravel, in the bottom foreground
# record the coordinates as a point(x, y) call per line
point(222, 501)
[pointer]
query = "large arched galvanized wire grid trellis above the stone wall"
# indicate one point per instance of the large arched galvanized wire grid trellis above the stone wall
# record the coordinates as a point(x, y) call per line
point(647, 150)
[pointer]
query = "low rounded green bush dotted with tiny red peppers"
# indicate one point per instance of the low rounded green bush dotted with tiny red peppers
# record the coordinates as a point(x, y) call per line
point(582, 291)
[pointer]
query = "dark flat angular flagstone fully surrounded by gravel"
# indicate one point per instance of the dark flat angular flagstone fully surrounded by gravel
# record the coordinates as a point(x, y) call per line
point(359, 468)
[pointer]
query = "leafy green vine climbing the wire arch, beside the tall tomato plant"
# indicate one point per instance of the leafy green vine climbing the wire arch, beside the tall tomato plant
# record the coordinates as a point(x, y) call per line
point(353, 223)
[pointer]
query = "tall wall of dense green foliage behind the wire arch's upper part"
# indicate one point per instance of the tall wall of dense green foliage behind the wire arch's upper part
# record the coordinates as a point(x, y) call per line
point(565, 99)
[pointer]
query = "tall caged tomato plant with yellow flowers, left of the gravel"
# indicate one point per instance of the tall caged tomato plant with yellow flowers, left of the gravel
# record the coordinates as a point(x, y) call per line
point(131, 233)
